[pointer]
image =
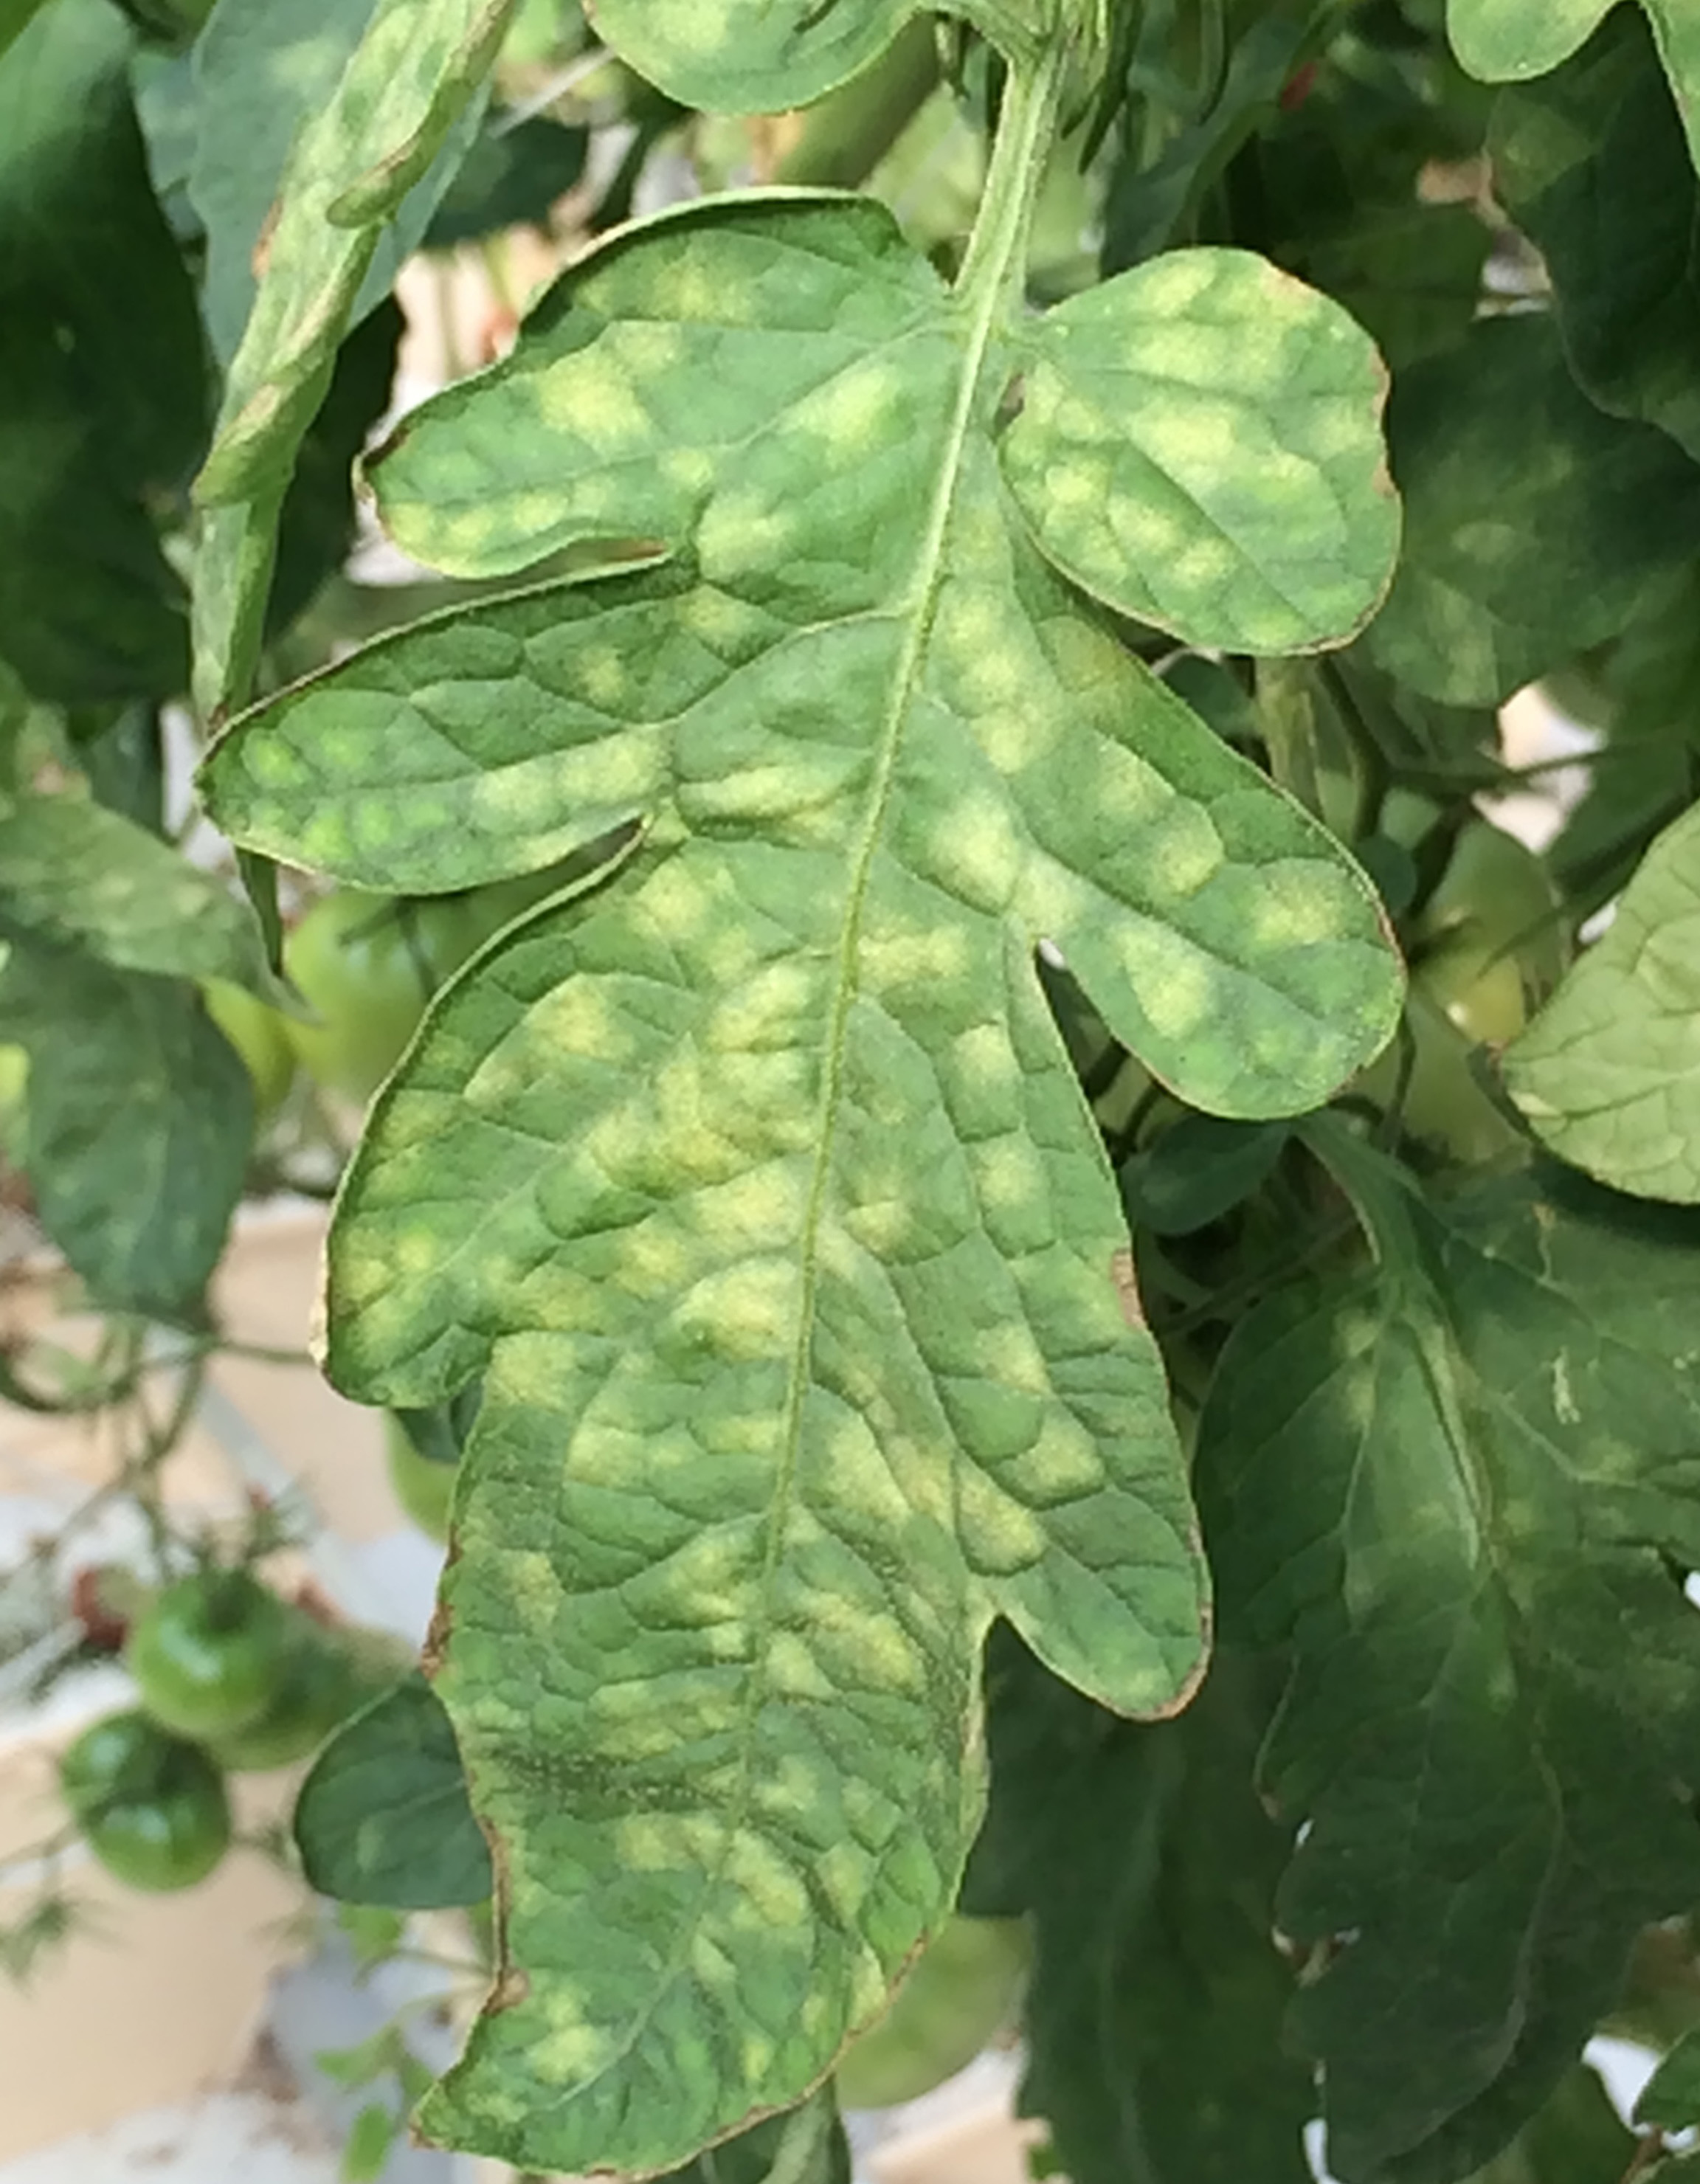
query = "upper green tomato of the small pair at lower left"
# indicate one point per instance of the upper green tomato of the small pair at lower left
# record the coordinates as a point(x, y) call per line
point(209, 1654)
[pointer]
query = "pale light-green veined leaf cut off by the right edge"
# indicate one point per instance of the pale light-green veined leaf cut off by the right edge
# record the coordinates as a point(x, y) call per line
point(1609, 1073)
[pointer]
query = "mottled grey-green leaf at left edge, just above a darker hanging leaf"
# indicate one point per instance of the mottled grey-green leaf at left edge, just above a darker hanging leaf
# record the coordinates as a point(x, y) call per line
point(71, 870)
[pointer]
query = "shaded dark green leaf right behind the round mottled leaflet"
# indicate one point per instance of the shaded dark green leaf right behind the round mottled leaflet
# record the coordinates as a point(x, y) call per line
point(1533, 521)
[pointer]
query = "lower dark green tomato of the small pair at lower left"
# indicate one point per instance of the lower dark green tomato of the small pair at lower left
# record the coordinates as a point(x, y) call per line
point(152, 1807)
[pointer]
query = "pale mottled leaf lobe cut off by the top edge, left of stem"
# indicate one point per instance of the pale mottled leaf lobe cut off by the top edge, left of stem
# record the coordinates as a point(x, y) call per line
point(751, 56)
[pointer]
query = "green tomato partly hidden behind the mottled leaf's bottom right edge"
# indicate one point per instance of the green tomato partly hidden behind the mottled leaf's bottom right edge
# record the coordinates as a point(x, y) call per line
point(963, 1991)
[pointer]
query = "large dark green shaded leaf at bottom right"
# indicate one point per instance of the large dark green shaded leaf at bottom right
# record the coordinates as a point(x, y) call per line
point(1456, 1491)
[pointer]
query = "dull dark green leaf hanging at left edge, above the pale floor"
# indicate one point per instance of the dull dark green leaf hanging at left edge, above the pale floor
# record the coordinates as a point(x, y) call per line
point(139, 1126)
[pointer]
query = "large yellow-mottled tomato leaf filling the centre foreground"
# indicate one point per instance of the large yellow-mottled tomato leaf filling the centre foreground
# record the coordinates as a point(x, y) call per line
point(757, 1183)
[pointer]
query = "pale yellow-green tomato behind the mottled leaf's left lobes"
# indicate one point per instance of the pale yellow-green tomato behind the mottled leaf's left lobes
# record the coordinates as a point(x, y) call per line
point(368, 966)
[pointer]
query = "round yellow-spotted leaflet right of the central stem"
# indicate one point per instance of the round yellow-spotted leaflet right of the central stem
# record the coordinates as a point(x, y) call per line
point(1129, 399)
